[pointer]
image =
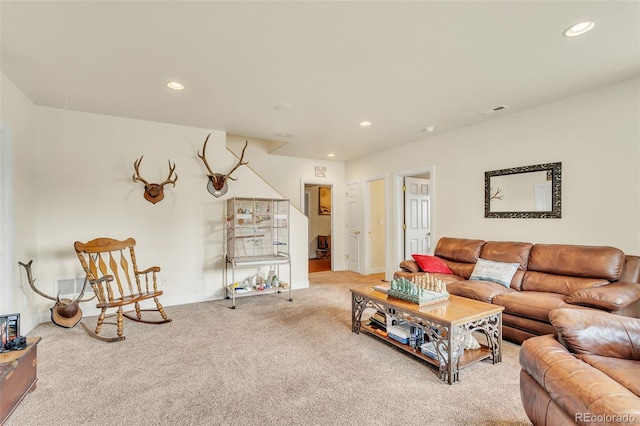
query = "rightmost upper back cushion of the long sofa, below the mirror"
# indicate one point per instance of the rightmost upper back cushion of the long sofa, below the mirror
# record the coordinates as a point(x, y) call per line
point(577, 261)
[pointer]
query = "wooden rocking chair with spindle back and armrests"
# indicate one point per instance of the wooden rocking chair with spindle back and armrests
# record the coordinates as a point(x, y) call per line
point(106, 261)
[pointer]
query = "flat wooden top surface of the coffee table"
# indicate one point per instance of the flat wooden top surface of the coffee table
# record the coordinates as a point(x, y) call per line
point(455, 311)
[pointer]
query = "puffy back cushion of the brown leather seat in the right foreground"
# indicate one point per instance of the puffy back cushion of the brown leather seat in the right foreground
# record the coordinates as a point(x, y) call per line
point(587, 331)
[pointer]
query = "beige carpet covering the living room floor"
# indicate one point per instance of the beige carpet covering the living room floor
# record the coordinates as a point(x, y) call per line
point(268, 362)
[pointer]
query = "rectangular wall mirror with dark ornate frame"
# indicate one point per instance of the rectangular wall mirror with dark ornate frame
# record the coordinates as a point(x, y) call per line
point(524, 192)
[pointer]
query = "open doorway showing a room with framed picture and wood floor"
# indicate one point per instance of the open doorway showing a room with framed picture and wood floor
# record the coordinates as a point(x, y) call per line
point(318, 207)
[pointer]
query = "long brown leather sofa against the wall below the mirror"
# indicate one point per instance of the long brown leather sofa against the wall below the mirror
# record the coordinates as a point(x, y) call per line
point(548, 276)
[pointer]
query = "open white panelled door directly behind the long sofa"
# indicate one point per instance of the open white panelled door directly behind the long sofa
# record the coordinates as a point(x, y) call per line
point(417, 216)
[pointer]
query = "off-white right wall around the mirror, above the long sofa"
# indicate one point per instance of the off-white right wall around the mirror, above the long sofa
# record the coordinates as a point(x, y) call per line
point(595, 135)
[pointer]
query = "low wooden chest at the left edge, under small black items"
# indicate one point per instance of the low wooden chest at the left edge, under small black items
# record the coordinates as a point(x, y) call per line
point(17, 376)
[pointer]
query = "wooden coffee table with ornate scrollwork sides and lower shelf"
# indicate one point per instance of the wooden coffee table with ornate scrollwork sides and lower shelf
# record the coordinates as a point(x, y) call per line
point(446, 324)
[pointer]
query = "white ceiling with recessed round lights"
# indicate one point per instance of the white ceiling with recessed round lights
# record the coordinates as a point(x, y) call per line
point(401, 65)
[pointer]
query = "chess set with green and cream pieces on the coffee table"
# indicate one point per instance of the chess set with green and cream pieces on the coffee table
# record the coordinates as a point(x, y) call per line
point(423, 290)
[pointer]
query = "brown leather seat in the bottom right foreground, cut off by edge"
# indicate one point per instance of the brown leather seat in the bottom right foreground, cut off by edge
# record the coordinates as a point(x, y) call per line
point(590, 374)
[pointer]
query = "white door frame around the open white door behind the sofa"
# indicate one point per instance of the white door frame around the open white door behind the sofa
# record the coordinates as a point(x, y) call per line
point(397, 234)
